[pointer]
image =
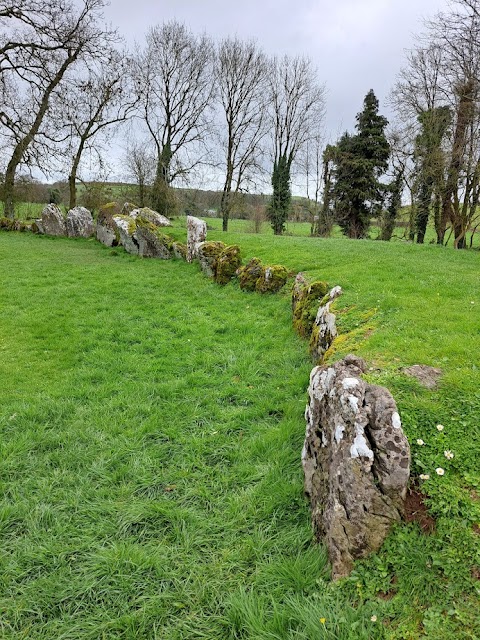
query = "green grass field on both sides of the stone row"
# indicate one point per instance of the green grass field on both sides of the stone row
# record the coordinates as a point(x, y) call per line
point(151, 431)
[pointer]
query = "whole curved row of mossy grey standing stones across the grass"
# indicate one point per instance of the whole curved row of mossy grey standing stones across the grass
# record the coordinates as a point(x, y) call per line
point(356, 458)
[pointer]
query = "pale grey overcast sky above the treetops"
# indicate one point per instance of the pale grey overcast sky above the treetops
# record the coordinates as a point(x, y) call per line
point(356, 45)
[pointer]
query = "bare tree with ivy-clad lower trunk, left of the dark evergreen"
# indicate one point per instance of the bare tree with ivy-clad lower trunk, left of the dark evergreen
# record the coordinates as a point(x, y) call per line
point(297, 107)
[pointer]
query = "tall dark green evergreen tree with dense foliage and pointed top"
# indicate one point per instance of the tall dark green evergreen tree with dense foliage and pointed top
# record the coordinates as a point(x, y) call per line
point(361, 159)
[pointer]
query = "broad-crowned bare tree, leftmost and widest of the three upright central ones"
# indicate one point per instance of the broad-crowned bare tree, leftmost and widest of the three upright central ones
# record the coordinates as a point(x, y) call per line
point(174, 78)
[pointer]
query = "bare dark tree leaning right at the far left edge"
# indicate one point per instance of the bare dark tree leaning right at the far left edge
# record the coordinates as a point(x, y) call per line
point(40, 41)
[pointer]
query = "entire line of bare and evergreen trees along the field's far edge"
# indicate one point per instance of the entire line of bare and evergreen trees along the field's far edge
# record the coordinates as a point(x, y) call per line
point(186, 105)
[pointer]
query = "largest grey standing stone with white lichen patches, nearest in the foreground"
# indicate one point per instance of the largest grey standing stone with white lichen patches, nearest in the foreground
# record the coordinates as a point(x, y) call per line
point(356, 461)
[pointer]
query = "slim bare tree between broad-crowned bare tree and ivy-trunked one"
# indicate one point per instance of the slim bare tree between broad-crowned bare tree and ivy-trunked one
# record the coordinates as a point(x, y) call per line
point(241, 72)
